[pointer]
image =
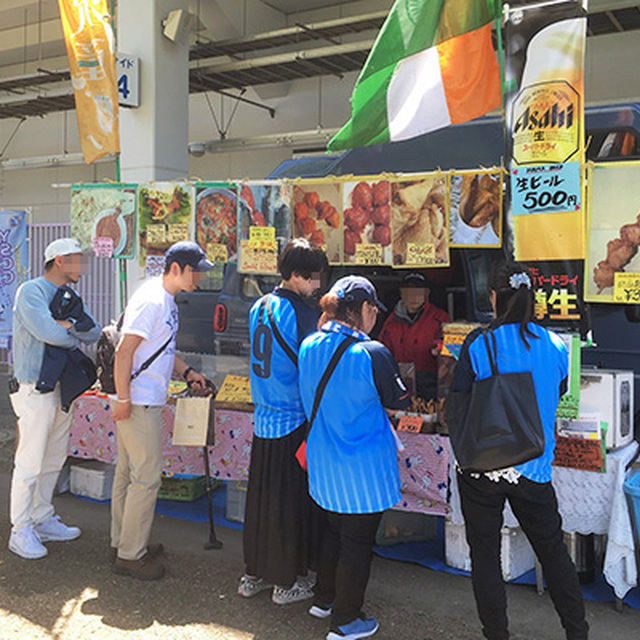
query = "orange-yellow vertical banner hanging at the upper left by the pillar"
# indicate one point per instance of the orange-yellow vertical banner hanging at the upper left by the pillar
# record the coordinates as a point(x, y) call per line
point(90, 51)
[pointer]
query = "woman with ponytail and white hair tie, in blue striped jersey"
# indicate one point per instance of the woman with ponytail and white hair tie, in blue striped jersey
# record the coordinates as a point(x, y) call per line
point(521, 346)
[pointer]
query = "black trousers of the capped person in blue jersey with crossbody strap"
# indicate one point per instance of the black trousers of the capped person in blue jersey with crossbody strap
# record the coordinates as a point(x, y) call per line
point(345, 563)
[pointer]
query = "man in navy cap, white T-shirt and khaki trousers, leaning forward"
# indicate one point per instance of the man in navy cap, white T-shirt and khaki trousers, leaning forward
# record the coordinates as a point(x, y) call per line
point(144, 362)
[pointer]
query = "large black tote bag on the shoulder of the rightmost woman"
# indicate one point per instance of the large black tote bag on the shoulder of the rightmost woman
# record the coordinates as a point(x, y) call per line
point(497, 423)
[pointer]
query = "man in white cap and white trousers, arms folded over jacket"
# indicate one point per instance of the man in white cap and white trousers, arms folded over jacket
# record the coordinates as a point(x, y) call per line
point(43, 426)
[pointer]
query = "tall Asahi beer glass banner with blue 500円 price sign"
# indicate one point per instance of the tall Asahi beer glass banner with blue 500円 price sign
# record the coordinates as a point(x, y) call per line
point(545, 47)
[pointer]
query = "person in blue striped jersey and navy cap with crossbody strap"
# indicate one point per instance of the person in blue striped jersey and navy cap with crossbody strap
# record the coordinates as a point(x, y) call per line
point(351, 448)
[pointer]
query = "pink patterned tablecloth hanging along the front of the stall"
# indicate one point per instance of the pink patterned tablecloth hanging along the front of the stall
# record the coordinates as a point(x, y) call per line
point(423, 463)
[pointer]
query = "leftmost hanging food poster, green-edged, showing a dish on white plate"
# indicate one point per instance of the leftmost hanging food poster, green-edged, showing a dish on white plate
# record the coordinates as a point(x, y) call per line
point(103, 219)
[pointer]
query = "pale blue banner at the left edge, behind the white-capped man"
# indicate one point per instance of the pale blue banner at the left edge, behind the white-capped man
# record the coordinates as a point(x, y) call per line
point(13, 266)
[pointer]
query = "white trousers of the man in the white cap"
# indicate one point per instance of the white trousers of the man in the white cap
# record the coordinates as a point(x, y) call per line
point(41, 452)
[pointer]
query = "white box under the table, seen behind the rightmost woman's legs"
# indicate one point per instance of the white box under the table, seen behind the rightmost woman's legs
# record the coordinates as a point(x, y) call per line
point(517, 555)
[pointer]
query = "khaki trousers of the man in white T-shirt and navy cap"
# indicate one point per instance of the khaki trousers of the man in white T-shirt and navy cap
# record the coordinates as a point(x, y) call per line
point(136, 480)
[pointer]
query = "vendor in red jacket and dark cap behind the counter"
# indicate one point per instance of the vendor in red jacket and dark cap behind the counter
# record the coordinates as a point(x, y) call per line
point(413, 331)
